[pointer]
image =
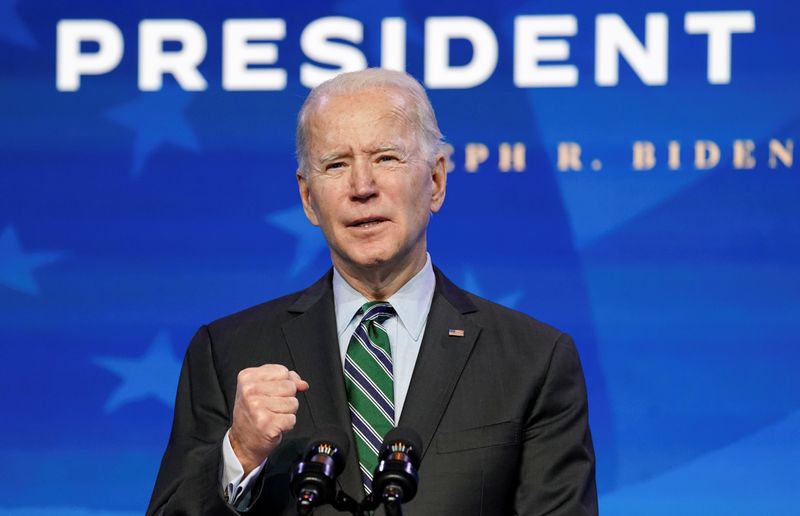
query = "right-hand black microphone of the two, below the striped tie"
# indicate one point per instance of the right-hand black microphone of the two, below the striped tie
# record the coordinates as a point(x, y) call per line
point(396, 478)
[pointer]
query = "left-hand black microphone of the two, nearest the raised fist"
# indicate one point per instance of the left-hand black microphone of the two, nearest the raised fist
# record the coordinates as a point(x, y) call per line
point(313, 479)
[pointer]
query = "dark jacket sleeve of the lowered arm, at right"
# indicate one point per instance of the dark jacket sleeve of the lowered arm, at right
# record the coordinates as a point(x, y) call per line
point(557, 475)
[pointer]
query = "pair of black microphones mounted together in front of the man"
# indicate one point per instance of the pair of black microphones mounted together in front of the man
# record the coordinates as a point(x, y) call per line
point(394, 481)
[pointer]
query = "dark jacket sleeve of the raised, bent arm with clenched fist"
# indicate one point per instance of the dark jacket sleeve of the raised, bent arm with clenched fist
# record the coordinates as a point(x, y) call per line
point(188, 481)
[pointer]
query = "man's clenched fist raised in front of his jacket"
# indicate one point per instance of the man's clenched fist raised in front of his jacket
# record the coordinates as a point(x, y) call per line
point(265, 408)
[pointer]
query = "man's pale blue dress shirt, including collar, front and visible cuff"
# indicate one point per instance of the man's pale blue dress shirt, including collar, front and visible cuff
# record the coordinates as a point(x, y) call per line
point(412, 304)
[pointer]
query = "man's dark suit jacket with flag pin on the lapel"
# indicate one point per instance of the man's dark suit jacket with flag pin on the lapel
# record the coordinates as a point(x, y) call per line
point(502, 411)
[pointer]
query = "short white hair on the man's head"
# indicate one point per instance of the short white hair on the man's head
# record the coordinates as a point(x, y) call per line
point(420, 116)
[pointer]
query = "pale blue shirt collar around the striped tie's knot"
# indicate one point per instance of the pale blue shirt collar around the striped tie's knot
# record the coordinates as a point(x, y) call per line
point(412, 302)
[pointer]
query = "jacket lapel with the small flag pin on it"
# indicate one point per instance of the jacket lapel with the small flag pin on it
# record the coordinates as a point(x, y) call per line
point(441, 359)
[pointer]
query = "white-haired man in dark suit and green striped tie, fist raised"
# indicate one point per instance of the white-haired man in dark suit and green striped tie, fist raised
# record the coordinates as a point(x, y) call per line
point(383, 339)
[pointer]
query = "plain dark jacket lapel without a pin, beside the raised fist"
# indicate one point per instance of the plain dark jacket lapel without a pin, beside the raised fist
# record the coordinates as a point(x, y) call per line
point(314, 346)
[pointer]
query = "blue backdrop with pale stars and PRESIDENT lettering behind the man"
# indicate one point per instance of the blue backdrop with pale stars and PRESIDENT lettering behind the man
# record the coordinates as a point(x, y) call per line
point(129, 217)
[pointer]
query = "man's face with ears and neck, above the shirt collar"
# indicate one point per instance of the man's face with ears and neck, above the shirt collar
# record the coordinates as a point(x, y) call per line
point(369, 187)
